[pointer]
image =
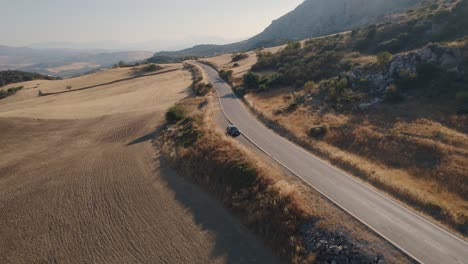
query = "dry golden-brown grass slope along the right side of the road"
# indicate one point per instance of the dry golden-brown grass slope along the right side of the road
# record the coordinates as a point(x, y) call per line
point(416, 151)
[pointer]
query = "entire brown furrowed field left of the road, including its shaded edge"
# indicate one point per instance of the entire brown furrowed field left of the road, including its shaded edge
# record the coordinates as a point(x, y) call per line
point(81, 182)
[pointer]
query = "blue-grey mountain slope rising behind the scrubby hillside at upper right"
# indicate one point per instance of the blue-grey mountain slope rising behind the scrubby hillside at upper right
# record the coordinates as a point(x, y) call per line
point(310, 19)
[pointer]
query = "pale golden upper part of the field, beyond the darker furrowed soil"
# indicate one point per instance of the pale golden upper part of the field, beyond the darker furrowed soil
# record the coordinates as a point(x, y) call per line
point(110, 99)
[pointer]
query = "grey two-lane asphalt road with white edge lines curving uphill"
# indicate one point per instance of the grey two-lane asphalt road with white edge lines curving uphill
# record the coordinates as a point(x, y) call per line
point(422, 240)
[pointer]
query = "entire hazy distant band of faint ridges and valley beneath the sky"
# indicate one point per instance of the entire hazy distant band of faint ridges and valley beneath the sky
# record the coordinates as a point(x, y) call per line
point(67, 59)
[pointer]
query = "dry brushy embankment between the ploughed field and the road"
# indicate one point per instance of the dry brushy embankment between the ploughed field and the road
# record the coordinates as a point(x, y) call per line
point(278, 207)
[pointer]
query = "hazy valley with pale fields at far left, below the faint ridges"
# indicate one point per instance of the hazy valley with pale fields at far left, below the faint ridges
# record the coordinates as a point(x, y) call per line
point(61, 62)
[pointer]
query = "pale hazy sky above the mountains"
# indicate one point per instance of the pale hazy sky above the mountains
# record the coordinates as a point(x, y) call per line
point(23, 22)
